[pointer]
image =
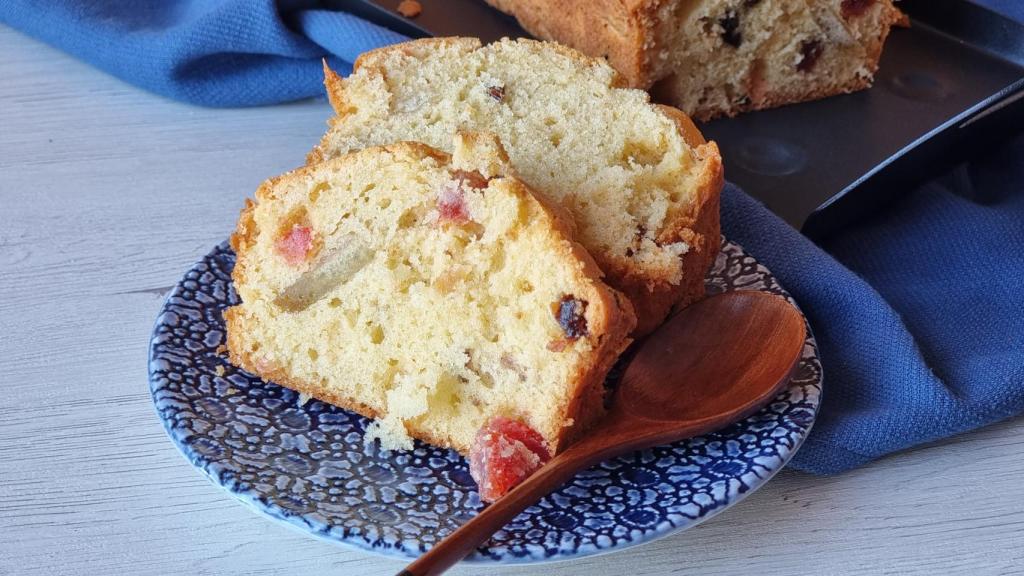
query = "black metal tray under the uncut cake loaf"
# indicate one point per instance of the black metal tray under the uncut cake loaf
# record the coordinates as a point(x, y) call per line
point(948, 88)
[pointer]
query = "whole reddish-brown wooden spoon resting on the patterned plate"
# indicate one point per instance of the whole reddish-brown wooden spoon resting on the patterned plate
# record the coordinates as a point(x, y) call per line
point(713, 364)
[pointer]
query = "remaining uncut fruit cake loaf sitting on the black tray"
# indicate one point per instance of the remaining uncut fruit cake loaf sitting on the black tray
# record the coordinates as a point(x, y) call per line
point(720, 58)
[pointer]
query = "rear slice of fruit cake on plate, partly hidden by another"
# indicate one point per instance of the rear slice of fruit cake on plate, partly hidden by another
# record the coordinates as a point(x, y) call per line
point(641, 182)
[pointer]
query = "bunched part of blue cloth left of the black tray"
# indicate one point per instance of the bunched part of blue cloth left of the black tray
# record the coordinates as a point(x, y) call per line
point(208, 53)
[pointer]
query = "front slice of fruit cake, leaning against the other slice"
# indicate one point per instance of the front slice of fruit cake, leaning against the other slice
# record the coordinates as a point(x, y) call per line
point(433, 294)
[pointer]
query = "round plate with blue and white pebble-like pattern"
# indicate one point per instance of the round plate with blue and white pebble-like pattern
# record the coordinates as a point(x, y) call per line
point(307, 465)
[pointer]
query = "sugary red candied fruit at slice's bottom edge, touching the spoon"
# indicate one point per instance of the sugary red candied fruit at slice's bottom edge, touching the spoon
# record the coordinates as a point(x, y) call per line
point(504, 455)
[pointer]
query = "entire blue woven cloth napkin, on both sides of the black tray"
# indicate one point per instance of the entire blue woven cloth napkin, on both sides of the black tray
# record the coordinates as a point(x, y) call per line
point(919, 312)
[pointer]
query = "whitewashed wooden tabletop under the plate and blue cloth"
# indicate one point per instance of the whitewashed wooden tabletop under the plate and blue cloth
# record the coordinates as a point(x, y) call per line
point(108, 194)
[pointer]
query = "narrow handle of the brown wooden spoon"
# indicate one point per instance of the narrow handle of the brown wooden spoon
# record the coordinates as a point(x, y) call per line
point(471, 536)
